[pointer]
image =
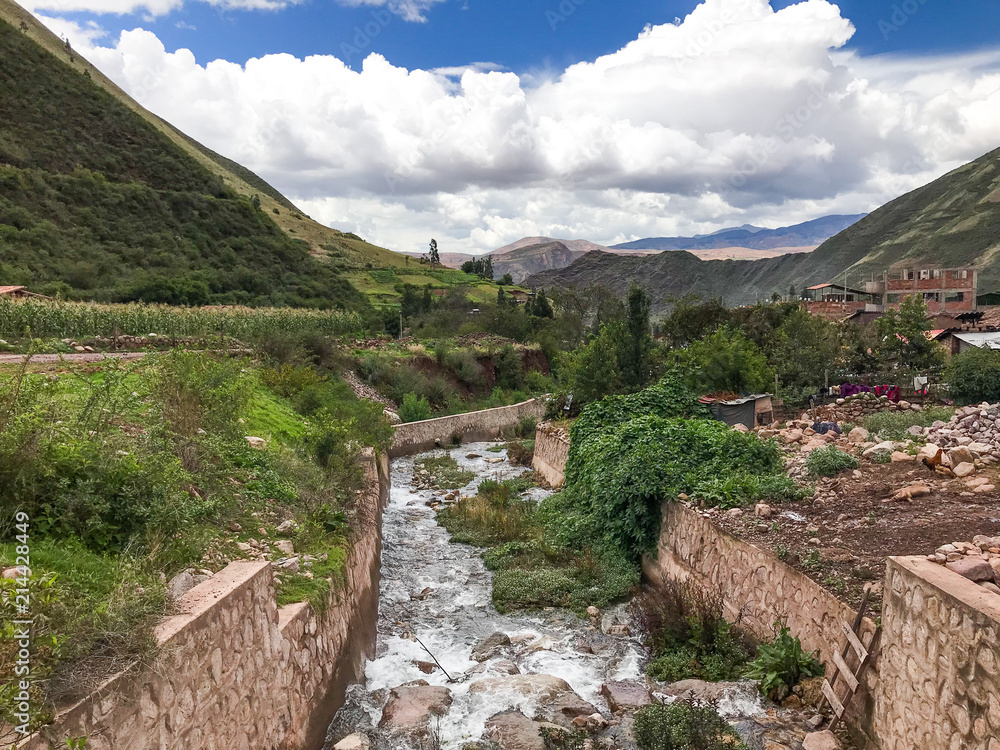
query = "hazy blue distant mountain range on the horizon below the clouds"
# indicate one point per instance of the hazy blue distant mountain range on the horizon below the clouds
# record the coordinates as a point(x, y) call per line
point(808, 233)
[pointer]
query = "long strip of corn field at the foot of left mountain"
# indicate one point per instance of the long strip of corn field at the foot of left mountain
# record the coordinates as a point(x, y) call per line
point(37, 318)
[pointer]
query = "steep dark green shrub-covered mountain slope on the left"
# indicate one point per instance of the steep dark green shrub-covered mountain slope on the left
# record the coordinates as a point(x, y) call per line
point(99, 199)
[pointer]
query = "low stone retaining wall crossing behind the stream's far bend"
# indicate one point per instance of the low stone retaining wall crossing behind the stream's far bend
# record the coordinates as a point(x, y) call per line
point(416, 437)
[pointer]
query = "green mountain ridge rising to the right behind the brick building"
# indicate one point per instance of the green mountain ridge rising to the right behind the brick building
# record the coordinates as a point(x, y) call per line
point(953, 222)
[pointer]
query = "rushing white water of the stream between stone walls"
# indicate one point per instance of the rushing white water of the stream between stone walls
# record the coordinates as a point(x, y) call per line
point(457, 613)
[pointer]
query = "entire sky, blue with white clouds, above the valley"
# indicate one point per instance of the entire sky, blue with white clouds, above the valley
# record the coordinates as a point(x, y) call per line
point(479, 122)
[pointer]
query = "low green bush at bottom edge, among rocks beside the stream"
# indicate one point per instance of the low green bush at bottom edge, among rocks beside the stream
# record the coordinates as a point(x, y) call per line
point(684, 726)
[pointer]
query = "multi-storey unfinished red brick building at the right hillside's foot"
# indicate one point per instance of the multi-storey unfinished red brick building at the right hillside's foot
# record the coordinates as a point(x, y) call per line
point(942, 289)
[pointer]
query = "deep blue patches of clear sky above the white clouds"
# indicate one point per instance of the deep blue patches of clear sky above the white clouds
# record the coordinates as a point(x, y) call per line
point(521, 35)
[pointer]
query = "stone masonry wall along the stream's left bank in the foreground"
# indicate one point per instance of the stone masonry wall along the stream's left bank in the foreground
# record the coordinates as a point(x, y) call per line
point(235, 672)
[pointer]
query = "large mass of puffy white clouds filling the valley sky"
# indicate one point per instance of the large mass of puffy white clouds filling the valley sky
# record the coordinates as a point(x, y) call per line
point(738, 113)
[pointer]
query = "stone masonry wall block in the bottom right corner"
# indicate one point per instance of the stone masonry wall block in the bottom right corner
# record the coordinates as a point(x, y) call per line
point(939, 669)
